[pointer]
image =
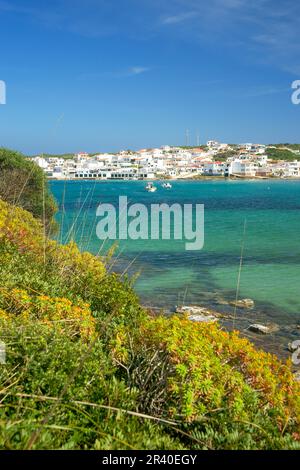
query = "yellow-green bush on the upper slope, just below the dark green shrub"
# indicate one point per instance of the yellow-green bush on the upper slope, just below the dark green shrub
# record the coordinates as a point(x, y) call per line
point(34, 263)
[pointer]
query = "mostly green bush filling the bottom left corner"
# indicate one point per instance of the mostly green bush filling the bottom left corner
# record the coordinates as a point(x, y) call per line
point(58, 392)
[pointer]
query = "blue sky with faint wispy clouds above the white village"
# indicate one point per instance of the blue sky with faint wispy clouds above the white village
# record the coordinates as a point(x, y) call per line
point(101, 75)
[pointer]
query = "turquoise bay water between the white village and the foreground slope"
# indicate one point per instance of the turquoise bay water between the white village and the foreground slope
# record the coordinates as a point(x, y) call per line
point(169, 275)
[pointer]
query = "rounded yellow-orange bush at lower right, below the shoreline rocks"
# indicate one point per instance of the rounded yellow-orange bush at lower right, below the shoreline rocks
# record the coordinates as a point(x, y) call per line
point(222, 390)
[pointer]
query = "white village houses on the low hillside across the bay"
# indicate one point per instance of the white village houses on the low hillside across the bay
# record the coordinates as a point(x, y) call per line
point(211, 160)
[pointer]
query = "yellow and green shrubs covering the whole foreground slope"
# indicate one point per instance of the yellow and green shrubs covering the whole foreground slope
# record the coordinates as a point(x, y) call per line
point(88, 368)
